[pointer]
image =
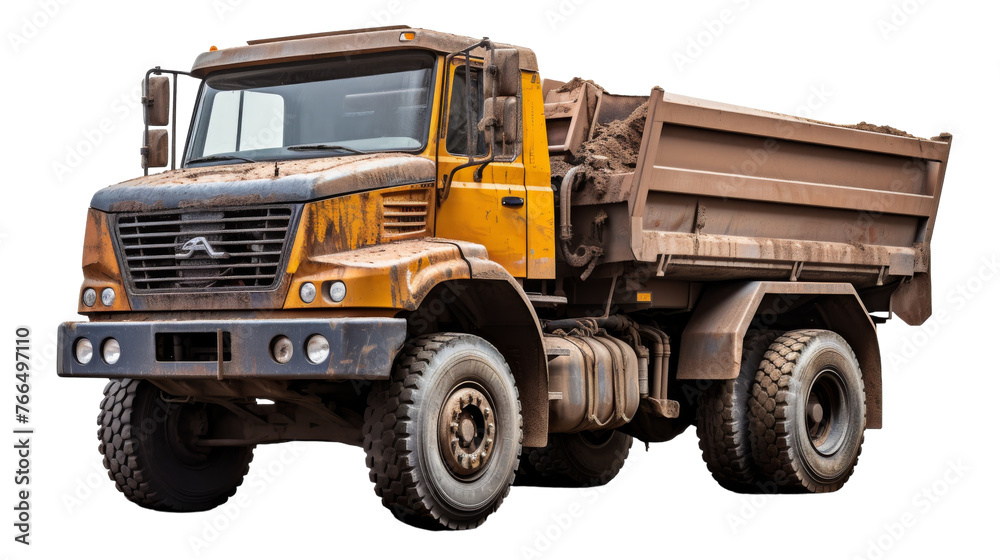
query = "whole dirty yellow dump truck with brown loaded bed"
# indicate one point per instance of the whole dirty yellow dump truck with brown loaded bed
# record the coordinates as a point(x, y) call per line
point(408, 241)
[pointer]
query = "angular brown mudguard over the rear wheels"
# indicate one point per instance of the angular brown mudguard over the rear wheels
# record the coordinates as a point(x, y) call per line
point(712, 343)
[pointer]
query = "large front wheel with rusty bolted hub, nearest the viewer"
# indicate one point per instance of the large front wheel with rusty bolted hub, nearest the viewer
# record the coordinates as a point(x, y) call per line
point(442, 438)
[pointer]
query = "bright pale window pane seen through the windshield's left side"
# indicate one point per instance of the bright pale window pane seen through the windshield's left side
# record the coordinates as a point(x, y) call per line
point(249, 120)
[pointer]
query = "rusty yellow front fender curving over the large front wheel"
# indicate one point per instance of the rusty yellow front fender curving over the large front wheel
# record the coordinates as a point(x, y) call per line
point(430, 281)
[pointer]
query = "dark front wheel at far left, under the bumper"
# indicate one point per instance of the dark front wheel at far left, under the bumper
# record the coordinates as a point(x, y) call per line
point(150, 450)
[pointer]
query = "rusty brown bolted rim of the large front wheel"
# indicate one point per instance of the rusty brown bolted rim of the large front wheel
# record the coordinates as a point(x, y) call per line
point(466, 431)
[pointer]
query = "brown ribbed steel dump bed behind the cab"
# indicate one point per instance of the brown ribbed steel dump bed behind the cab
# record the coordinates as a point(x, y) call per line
point(720, 192)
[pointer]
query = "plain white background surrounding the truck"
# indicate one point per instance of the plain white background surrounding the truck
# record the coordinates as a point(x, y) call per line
point(70, 69)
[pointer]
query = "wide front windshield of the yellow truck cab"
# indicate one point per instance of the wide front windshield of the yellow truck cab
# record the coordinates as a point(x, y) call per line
point(370, 103)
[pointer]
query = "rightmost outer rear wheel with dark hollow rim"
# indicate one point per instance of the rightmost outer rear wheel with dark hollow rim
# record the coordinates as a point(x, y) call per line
point(808, 412)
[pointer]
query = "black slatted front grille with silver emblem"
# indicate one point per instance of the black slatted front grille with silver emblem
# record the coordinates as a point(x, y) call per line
point(205, 250)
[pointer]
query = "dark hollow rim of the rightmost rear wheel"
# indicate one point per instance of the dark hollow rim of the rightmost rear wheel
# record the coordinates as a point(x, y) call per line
point(826, 413)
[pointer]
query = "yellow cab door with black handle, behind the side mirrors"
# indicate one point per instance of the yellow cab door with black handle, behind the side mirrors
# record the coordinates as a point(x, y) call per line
point(491, 212)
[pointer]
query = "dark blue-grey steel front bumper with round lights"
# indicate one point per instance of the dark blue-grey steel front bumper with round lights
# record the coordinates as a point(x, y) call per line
point(360, 348)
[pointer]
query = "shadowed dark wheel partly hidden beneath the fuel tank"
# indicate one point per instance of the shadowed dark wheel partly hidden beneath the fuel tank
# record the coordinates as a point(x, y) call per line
point(577, 460)
